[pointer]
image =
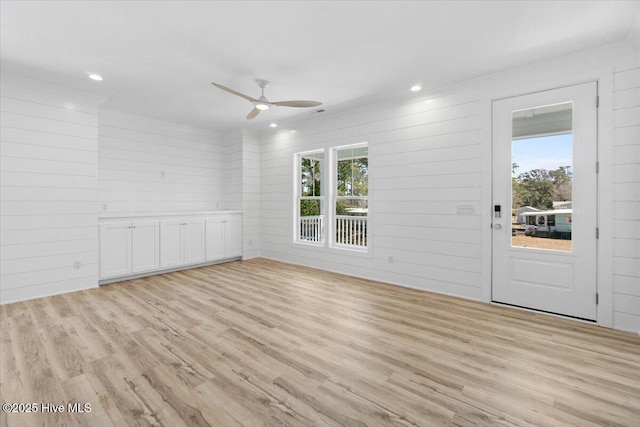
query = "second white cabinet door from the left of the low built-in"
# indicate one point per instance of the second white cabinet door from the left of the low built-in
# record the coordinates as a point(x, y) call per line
point(145, 246)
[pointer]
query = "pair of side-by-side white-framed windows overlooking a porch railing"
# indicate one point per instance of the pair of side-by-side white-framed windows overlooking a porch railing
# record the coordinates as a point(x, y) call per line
point(347, 194)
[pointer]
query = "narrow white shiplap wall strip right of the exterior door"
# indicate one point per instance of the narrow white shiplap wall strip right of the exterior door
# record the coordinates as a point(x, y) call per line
point(626, 185)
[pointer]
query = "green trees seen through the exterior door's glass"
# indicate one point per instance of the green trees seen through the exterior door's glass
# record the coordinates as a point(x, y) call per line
point(539, 188)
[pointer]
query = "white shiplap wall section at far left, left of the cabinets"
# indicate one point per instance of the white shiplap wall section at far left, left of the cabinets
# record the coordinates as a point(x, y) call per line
point(49, 189)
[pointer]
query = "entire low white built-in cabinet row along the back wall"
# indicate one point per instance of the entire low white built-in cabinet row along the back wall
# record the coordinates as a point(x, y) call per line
point(135, 246)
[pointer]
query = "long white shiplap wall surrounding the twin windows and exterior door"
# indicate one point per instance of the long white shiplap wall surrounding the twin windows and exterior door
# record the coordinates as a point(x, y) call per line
point(432, 151)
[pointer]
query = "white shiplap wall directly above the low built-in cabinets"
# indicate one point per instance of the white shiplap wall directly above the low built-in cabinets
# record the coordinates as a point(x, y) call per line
point(148, 165)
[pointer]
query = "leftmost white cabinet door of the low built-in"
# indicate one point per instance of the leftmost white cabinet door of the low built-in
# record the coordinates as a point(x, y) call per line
point(115, 249)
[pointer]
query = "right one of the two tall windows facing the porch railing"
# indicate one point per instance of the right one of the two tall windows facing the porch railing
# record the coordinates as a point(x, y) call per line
point(351, 196)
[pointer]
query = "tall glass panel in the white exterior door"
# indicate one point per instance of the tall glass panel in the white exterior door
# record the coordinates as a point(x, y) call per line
point(542, 177)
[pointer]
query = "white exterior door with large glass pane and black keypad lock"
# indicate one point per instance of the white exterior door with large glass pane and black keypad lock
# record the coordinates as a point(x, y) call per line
point(544, 163)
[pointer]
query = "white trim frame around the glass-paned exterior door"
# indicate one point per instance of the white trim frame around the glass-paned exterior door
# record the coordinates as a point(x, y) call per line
point(518, 83)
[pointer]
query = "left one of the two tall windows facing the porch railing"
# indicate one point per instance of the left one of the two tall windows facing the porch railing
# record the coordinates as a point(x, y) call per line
point(310, 204)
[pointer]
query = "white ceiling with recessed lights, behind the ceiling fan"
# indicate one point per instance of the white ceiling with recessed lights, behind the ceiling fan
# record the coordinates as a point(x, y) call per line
point(157, 58)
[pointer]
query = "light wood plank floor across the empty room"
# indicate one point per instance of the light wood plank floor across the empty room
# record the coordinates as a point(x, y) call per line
point(265, 343)
